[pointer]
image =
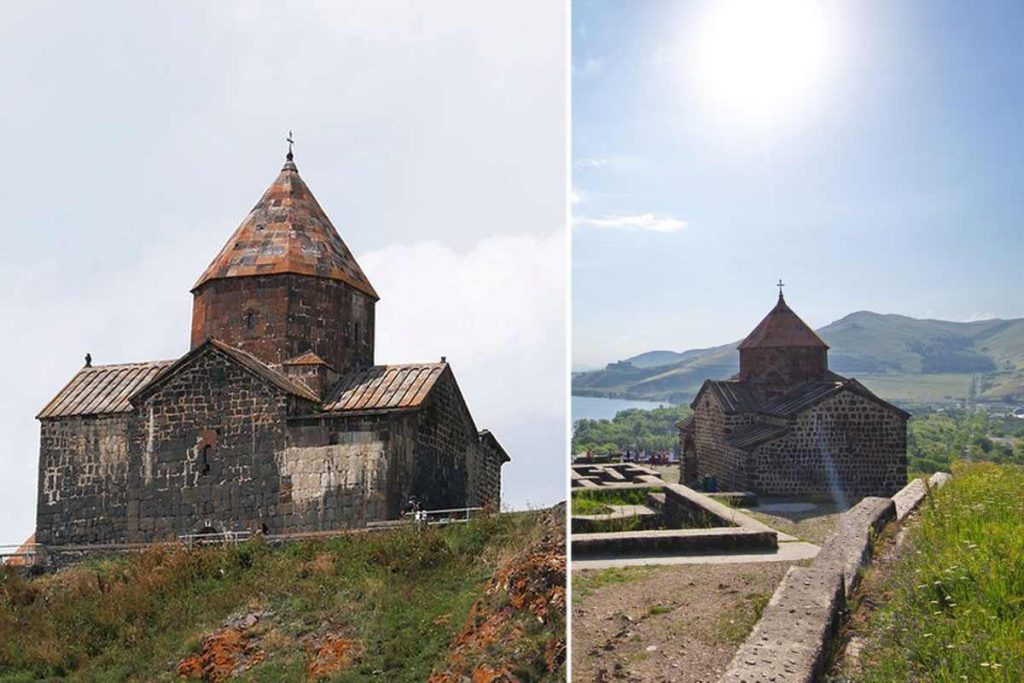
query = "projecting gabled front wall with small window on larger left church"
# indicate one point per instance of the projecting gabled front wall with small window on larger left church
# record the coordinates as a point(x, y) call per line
point(204, 448)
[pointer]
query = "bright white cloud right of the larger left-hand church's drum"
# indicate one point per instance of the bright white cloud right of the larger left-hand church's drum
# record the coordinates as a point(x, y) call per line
point(498, 313)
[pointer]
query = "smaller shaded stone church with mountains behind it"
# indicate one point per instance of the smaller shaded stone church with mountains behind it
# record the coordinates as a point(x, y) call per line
point(787, 425)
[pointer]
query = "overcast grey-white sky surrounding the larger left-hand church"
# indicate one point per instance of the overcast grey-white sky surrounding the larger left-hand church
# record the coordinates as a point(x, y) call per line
point(138, 137)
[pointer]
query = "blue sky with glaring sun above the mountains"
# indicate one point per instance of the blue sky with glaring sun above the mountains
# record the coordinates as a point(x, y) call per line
point(869, 153)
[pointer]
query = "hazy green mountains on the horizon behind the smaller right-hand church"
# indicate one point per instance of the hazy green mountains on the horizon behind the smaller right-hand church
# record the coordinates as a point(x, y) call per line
point(900, 358)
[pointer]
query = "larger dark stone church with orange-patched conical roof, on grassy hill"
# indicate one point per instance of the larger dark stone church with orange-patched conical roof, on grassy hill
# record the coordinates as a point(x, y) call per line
point(276, 420)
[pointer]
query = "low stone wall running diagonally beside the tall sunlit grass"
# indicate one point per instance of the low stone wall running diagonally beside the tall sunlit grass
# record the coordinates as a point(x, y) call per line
point(793, 639)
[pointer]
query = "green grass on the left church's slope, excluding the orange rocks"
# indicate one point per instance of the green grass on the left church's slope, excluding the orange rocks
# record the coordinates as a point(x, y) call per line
point(403, 595)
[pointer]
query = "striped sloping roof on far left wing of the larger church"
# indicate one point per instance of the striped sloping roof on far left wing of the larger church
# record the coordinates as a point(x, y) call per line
point(103, 390)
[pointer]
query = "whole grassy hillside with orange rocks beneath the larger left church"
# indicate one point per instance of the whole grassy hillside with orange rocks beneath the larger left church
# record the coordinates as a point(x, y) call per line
point(477, 601)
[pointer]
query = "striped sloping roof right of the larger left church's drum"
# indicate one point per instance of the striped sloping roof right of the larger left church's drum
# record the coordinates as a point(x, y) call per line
point(385, 388)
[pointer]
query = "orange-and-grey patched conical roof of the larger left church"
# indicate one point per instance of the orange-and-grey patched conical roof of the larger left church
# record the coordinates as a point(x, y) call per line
point(287, 232)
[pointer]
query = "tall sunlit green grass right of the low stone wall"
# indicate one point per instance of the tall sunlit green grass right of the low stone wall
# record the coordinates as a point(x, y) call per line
point(953, 608)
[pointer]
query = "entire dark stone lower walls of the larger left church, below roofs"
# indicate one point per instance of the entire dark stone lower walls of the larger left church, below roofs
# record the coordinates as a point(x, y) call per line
point(216, 448)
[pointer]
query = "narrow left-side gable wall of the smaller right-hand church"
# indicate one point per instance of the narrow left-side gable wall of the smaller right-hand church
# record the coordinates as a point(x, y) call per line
point(714, 456)
